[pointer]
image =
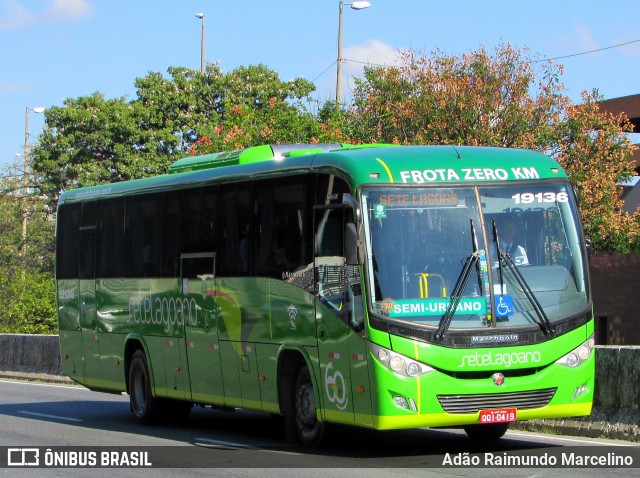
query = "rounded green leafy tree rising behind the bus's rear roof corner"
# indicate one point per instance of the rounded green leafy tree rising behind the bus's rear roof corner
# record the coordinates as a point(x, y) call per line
point(91, 141)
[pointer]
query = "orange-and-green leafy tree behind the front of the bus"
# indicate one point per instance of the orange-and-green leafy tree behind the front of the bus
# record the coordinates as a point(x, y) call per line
point(502, 99)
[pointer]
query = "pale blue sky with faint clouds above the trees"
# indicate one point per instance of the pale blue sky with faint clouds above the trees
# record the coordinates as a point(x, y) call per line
point(55, 49)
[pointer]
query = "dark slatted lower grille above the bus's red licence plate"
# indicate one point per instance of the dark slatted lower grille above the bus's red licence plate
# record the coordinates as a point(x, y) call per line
point(488, 401)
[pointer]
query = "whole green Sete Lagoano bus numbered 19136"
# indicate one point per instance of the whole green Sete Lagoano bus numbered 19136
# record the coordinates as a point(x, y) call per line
point(366, 285)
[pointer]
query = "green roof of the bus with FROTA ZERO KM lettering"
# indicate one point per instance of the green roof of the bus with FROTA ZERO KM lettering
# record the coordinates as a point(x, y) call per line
point(361, 164)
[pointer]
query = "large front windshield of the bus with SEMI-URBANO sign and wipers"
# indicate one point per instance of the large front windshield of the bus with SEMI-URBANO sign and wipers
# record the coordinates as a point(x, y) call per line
point(505, 256)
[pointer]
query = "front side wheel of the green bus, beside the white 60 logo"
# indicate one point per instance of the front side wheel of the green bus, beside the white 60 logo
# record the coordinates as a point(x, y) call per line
point(310, 431)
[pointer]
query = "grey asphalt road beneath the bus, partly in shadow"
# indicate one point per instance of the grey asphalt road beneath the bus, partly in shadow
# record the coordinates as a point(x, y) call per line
point(67, 421)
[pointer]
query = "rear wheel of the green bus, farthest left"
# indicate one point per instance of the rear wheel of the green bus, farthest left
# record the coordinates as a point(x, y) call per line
point(144, 406)
